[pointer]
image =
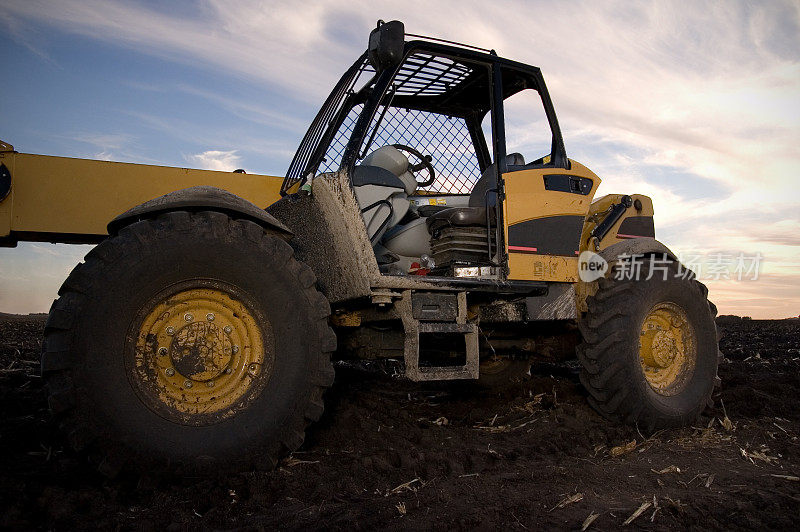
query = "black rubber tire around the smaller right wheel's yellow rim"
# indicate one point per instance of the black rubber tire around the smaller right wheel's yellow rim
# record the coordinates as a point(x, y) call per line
point(613, 370)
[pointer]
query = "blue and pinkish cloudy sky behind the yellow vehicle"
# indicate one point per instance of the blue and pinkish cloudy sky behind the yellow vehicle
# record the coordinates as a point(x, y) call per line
point(696, 104)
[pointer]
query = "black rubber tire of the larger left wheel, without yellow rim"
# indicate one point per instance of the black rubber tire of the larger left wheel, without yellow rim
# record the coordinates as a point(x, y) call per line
point(92, 329)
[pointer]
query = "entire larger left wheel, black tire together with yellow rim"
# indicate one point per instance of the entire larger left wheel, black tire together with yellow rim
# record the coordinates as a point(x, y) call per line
point(130, 387)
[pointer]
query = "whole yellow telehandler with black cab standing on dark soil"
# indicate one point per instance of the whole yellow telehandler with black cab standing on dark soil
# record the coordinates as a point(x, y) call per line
point(199, 333)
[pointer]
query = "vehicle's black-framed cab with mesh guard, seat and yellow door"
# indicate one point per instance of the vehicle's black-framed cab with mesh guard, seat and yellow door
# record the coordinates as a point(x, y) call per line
point(420, 137)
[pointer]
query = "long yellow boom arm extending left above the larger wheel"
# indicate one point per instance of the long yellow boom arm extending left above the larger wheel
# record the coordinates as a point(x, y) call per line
point(80, 196)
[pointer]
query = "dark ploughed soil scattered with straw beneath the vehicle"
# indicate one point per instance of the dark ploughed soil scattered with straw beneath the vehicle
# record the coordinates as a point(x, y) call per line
point(392, 454)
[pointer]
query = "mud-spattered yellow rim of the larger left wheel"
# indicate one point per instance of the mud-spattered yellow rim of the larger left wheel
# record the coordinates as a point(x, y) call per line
point(200, 355)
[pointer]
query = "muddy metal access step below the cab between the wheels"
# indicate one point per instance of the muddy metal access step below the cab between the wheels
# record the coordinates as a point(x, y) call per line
point(437, 313)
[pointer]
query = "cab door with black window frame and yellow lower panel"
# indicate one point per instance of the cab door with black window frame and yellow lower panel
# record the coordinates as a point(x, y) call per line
point(541, 206)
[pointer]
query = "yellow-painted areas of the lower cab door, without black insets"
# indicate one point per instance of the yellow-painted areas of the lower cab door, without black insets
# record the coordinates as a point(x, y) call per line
point(527, 199)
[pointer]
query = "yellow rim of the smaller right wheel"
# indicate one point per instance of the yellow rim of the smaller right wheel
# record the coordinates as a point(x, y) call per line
point(667, 348)
